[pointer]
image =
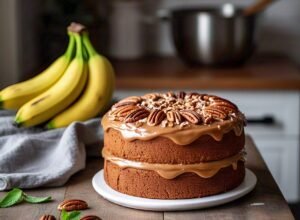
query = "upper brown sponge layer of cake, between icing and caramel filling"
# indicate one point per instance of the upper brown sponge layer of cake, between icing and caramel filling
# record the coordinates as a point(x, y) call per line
point(163, 150)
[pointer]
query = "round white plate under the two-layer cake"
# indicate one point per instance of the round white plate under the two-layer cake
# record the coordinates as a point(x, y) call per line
point(112, 195)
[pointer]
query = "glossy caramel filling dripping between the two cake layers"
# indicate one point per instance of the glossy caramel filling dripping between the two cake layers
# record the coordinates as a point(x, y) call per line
point(170, 171)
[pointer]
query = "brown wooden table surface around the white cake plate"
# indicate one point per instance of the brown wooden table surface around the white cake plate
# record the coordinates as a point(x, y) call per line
point(264, 202)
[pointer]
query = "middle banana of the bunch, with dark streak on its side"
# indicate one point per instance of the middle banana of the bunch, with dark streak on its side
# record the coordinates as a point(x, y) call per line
point(59, 96)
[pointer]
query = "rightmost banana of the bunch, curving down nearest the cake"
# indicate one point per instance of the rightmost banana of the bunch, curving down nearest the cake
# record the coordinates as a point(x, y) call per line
point(98, 92)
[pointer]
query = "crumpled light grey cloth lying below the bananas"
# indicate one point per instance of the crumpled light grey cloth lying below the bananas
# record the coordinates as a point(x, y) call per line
point(35, 157)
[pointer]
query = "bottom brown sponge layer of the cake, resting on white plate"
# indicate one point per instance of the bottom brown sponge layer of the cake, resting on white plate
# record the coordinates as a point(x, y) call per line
point(148, 184)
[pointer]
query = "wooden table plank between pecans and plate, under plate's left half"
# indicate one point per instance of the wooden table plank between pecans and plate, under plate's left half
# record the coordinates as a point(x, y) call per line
point(80, 187)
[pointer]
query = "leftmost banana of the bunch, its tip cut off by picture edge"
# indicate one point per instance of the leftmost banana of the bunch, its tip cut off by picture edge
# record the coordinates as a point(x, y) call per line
point(14, 96)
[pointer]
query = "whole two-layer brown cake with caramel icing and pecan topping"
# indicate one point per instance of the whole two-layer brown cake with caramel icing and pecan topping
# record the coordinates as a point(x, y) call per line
point(174, 146)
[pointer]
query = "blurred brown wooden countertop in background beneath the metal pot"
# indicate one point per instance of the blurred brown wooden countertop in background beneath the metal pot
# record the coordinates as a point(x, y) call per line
point(260, 73)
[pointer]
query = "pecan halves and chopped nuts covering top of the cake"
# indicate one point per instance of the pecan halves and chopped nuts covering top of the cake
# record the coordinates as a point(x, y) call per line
point(174, 109)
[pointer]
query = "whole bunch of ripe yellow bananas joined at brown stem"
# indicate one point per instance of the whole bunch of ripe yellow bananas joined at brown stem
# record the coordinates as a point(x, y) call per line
point(77, 89)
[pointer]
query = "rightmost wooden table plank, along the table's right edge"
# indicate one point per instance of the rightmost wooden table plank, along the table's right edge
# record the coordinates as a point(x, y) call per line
point(264, 202)
